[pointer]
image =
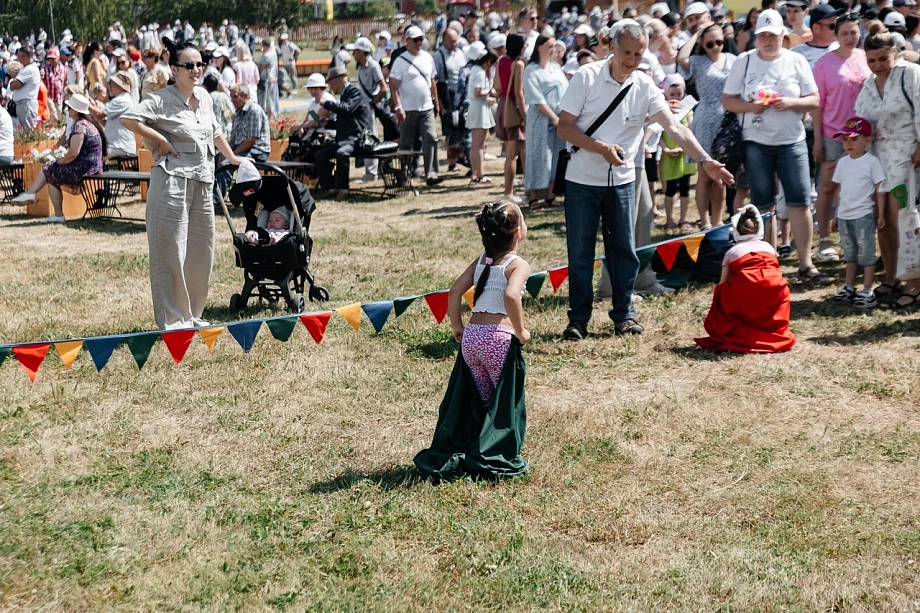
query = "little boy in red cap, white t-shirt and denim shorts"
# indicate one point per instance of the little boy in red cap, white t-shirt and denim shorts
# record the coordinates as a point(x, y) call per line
point(859, 174)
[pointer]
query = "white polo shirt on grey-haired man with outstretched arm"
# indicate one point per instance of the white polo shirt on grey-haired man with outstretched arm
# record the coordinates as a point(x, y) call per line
point(590, 92)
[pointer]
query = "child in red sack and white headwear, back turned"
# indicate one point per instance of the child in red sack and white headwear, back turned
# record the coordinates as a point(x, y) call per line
point(751, 304)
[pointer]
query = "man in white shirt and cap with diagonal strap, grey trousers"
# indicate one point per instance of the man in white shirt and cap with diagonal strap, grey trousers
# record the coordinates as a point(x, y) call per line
point(415, 100)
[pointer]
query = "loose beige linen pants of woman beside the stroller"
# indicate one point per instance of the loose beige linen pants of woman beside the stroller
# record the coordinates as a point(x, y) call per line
point(180, 234)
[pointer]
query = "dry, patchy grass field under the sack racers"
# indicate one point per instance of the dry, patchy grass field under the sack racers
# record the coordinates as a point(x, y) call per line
point(662, 478)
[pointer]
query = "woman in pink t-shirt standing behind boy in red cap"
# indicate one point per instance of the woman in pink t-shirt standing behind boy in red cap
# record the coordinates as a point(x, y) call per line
point(839, 75)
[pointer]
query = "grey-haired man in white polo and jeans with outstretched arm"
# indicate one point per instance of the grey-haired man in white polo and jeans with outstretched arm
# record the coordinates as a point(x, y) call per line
point(600, 177)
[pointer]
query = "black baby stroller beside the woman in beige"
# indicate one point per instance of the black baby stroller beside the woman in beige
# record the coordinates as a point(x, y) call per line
point(279, 270)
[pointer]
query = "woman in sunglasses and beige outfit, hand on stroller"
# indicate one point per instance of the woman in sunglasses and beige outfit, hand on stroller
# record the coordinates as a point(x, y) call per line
point(179, 126)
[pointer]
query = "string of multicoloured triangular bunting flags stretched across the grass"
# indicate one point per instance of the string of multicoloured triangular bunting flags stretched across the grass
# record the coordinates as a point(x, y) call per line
point(31, 355)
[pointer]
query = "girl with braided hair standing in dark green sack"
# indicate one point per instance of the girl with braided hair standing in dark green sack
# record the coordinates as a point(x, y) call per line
point(482, 419)
